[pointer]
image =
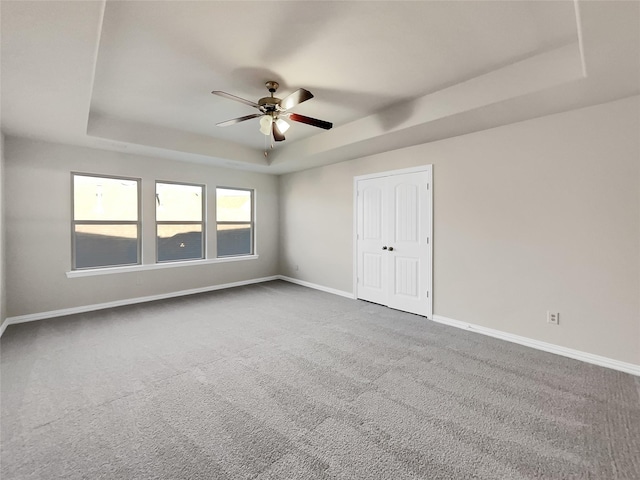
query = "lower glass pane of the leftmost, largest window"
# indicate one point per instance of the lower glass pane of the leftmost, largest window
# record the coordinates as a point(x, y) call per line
point(105, 245)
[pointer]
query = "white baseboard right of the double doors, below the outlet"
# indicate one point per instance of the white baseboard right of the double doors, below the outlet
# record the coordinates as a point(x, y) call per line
point(546, 347)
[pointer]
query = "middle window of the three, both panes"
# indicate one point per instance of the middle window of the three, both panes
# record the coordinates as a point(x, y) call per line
point(179, 221)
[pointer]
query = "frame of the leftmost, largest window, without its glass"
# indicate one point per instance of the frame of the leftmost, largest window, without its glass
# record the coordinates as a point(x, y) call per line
point(137, 223)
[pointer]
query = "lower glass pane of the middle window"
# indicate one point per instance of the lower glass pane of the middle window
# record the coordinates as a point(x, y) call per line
point(179, 242)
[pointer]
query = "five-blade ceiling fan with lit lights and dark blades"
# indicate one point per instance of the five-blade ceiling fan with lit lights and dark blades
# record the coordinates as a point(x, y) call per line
point(273, 110)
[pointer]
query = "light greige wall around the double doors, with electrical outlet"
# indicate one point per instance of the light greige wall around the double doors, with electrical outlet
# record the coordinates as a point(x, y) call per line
point(534, 216)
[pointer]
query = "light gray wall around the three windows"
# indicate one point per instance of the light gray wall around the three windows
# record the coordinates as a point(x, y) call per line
point(38, 229)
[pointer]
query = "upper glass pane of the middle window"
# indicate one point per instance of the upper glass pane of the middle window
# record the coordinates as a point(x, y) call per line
point(182, 203)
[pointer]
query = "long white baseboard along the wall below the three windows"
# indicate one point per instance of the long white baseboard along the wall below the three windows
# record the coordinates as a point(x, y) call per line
point(128, 301)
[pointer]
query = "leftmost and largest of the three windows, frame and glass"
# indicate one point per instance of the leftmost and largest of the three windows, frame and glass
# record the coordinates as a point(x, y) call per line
point(106, 221)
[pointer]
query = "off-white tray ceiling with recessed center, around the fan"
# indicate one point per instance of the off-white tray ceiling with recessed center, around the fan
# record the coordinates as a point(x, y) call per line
point(137, 75)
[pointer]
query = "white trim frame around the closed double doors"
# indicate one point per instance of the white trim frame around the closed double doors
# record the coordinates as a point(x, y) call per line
point(390, 173)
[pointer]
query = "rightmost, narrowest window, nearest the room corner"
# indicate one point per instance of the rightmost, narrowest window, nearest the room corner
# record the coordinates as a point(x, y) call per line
point(234, 215)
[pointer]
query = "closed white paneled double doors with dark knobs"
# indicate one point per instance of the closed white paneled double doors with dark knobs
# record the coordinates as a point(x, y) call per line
point(393, 240)
